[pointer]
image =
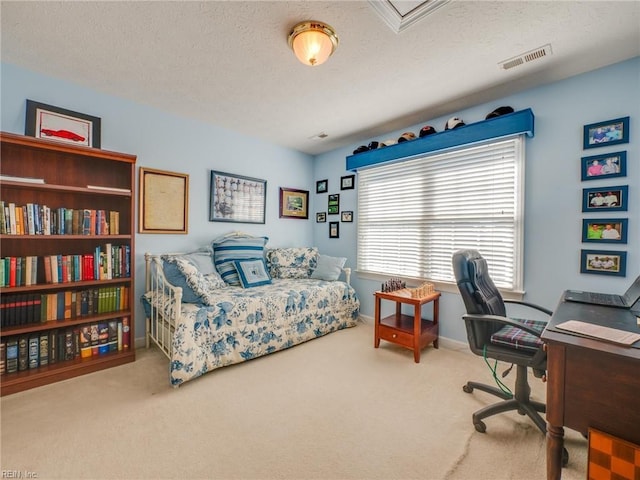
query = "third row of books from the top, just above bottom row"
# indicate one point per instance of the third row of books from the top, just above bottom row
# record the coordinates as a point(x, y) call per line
point(32, 308)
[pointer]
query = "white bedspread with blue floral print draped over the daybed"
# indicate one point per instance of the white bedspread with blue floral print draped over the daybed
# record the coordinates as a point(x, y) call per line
point(248, 323)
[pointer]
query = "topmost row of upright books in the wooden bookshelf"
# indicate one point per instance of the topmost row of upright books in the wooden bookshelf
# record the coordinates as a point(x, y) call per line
point(35, 219)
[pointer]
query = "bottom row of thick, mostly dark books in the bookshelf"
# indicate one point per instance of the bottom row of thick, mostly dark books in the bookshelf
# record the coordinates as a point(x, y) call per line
point(24, 352)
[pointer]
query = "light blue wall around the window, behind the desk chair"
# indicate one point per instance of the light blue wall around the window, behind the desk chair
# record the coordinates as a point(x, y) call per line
point(553, 203)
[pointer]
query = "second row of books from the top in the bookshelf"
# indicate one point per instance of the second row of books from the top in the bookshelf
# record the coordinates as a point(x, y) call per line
point(105, 263)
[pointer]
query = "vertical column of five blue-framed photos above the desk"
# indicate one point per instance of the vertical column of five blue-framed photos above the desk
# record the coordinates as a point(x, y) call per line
point(607, 197)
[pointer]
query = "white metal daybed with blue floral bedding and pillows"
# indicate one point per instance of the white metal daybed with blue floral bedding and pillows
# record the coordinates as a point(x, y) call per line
point(240, 300)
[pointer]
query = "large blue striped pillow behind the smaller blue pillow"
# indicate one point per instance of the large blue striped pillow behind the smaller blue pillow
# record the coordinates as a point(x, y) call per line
point(228, 249)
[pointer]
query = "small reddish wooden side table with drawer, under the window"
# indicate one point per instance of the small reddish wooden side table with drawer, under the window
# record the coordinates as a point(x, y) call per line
point(412, 332)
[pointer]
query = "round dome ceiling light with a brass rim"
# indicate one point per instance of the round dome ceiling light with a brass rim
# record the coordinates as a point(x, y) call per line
point(313, 42)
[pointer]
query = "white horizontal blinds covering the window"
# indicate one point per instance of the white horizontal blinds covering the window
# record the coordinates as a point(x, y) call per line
point(414, 214)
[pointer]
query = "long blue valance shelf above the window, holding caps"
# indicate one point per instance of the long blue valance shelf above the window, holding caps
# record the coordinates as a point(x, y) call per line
point(494, 128)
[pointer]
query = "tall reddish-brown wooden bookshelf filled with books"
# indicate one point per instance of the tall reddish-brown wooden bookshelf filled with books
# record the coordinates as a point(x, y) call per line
point(61, 176)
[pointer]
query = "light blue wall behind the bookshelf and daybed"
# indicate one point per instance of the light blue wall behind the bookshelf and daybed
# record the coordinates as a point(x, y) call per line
point(168, 142)
